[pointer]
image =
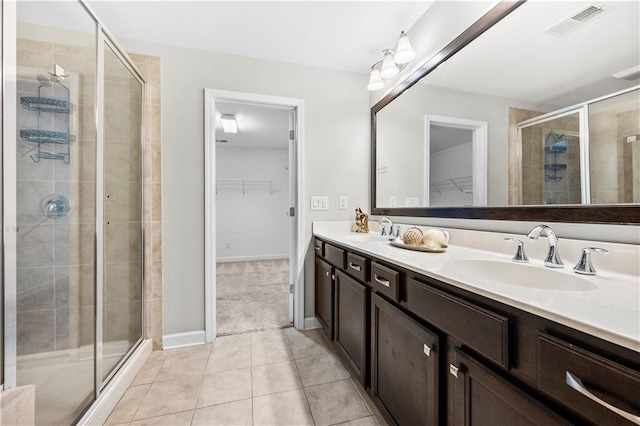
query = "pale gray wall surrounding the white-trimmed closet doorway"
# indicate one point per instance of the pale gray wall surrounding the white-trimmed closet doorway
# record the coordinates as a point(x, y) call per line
point(336, 150)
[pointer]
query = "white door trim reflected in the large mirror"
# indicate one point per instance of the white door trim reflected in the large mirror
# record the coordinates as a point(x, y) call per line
point(480, 131)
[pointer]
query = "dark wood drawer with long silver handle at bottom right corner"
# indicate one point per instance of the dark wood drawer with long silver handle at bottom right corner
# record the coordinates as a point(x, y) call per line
point(602, 391)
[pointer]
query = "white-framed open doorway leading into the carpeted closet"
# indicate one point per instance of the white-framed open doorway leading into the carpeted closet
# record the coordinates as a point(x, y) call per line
point(253, 271)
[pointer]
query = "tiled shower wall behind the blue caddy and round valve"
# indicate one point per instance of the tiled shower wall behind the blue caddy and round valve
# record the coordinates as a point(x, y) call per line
point(55, 281)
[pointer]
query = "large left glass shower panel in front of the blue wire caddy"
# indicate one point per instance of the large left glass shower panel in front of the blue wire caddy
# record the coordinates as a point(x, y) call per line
point(55, 168)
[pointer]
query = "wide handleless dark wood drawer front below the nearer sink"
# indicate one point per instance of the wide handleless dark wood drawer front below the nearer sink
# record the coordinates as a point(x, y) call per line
point(478, 328)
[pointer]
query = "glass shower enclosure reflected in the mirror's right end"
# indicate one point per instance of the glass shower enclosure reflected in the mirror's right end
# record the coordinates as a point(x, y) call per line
point(586, 154)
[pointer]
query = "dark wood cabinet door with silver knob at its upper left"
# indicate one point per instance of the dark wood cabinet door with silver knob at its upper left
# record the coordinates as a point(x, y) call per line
point(481, 397)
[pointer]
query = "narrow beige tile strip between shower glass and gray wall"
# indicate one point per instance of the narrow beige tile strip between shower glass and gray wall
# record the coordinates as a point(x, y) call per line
point(149, 66)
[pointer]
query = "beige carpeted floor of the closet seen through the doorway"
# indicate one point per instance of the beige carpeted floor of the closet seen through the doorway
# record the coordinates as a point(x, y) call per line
point(252, 296)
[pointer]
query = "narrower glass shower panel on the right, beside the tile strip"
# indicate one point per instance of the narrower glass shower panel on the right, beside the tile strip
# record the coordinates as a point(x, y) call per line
point(123, 262)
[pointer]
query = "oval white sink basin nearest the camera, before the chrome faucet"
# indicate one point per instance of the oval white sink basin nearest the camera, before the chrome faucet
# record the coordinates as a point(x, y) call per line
point(517, 274)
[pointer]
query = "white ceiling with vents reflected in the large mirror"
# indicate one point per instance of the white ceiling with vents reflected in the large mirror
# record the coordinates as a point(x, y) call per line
point(516, 60)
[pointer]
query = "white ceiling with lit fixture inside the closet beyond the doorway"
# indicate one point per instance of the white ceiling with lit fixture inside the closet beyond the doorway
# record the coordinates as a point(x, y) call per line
point(258, 126)
